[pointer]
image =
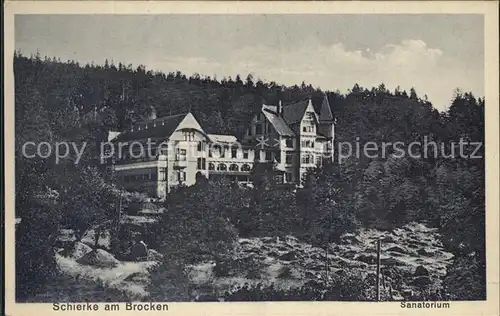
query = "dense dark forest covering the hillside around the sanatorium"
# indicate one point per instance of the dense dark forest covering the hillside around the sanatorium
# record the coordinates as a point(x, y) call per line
point(56, 101)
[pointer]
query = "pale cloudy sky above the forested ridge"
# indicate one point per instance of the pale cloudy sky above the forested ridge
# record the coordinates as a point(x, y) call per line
point(435, 53)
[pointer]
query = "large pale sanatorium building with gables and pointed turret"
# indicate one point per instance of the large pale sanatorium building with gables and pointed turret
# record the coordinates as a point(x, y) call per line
point(289, 138)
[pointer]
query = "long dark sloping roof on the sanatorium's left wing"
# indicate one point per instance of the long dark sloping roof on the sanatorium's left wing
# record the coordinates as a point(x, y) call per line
point(165, 126)
